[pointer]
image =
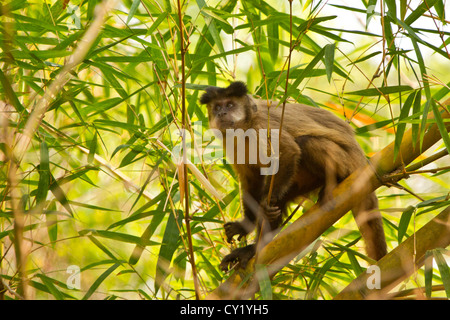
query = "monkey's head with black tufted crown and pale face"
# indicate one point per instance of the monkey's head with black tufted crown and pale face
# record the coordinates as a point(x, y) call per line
point(229, 108)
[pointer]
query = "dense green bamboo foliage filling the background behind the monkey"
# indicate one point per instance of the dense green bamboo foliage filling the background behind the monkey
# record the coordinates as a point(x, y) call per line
point(97, 186)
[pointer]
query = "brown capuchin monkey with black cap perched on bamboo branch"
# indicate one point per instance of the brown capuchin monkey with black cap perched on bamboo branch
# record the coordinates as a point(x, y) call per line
point(315, 151)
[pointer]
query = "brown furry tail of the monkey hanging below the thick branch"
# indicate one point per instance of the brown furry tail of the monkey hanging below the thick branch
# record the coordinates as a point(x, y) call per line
point(369, 221)
